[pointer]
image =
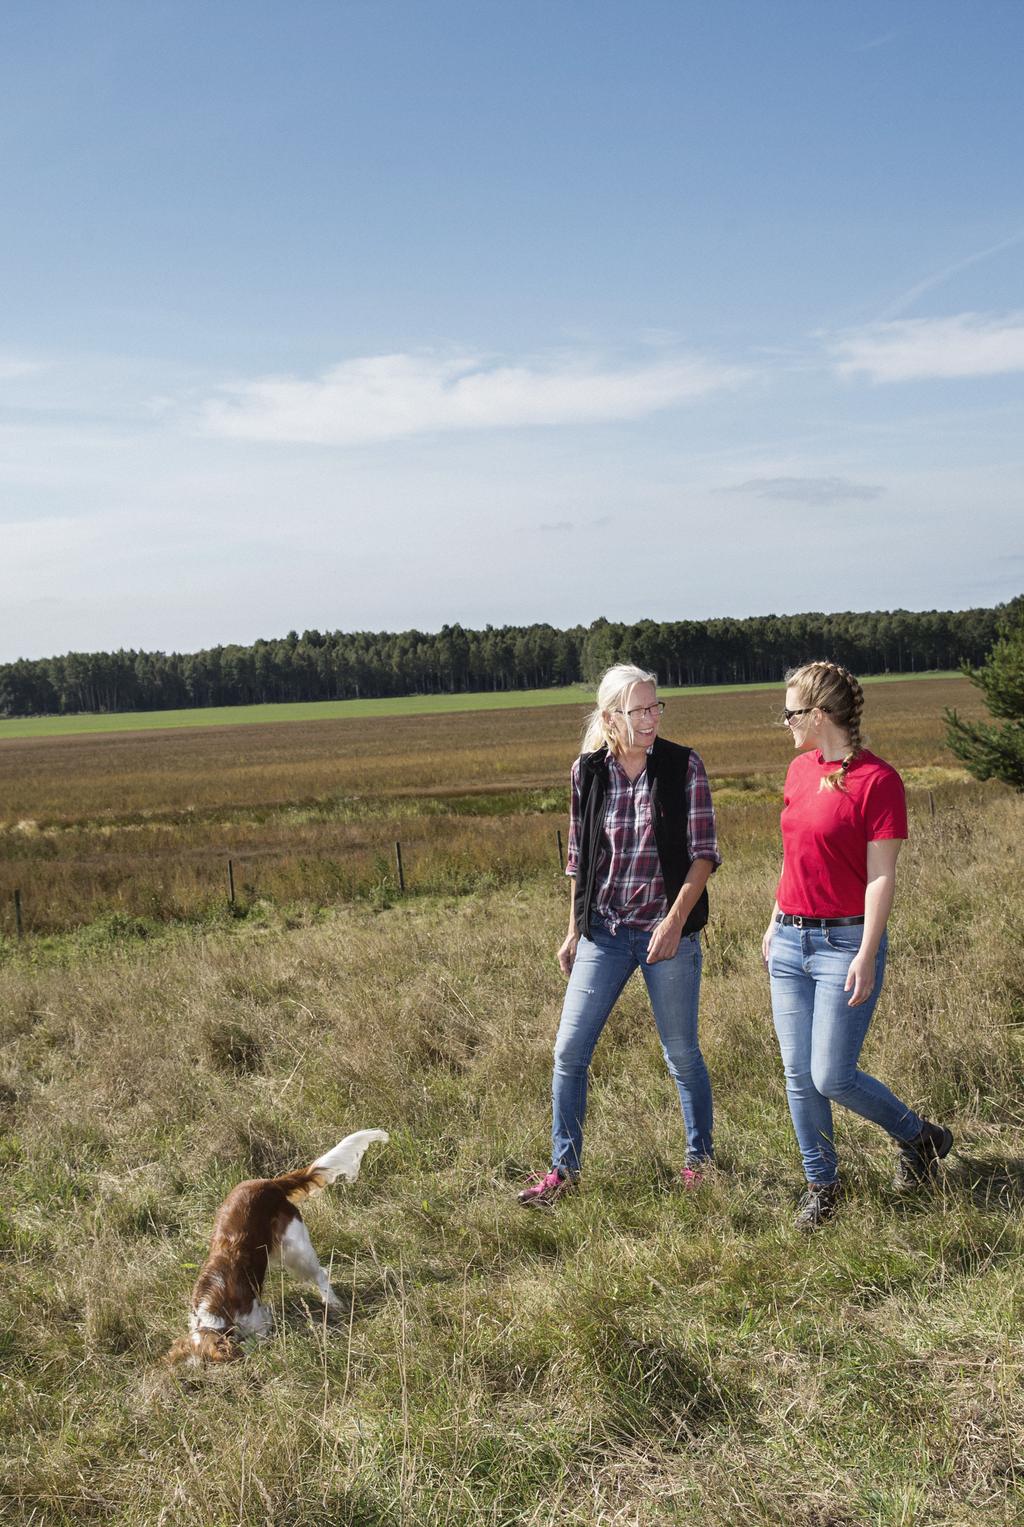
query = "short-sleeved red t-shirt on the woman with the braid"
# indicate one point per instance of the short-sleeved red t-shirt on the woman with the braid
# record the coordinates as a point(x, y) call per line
point(826, 833)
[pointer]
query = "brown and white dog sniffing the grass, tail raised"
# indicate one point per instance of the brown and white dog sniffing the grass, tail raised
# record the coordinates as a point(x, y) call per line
point(257, 1222)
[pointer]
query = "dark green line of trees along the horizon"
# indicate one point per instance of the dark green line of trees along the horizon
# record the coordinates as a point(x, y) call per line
point(338, 665)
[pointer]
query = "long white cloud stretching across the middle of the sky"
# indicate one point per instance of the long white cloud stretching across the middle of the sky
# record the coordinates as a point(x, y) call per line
point(388, 398)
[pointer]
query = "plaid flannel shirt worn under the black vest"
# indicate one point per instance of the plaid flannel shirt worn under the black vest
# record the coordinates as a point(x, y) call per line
point(630, 886)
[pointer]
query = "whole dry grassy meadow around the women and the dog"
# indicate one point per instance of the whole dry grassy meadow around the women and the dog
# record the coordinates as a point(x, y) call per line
point(637, 1357)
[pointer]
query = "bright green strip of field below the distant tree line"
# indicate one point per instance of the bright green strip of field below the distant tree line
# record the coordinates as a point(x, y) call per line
point(346, 709)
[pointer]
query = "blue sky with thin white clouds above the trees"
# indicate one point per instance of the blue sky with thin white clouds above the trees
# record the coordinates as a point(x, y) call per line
point(376, 315)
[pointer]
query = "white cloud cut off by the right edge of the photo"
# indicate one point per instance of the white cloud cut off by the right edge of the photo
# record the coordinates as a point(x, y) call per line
point(915, 349)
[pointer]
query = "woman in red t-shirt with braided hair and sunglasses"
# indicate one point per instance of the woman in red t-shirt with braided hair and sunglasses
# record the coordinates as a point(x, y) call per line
point(845, 821)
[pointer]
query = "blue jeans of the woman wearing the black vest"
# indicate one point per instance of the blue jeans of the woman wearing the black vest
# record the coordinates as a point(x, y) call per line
point(604, 966)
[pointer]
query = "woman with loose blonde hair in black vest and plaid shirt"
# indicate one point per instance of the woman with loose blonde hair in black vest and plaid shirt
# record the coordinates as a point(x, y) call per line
point(642, 850)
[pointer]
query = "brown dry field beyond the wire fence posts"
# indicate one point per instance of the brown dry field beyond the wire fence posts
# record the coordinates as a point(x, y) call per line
point(141, 825)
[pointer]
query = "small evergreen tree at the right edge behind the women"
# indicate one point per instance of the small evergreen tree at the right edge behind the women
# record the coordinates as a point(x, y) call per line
point(997, 752)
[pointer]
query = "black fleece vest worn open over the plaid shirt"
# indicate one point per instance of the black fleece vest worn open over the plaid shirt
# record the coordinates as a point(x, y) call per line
point(668, 767)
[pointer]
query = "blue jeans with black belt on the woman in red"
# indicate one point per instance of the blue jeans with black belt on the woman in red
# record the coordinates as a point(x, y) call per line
point(822, 1036)
